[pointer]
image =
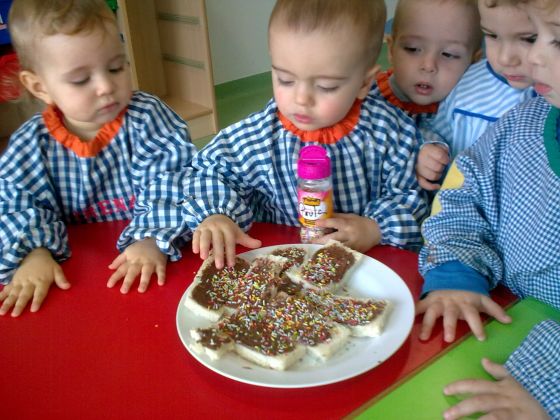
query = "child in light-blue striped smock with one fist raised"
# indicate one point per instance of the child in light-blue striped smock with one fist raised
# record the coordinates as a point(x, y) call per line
point(489, 88)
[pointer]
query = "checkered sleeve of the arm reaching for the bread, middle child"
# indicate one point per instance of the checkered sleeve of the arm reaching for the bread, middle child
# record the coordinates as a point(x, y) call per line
point(228, 171)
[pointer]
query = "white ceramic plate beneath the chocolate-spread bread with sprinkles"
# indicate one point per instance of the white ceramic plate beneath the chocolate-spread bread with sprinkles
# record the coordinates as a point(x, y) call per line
point(370, 279)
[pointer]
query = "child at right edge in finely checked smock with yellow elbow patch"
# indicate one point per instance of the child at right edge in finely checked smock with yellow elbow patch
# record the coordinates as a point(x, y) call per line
point(490, 226)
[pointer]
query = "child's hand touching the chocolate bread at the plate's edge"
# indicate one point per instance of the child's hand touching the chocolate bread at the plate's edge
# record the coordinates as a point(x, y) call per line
point(219, 232)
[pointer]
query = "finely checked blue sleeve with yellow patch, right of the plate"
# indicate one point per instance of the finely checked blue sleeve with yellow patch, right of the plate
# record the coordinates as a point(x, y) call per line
point(463, 213)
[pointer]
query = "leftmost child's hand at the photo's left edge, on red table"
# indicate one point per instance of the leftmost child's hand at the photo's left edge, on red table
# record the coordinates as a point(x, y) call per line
point(32, 280)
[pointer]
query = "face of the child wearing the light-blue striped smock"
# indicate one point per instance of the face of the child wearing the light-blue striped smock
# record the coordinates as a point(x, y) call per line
point(508, 35)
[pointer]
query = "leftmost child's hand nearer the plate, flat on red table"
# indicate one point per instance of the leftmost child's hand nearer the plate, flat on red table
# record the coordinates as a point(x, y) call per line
point(142, 257)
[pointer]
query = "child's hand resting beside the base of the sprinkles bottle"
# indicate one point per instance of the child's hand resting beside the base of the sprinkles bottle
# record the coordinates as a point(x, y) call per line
point(357, 232)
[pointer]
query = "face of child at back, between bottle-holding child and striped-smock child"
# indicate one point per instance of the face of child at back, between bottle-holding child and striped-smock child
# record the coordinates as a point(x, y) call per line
point(431, 51)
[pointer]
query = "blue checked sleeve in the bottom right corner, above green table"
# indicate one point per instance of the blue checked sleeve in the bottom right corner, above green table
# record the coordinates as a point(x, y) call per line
point(534, 364)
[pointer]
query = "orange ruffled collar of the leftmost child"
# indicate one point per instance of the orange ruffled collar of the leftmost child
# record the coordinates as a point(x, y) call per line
point(55, 125)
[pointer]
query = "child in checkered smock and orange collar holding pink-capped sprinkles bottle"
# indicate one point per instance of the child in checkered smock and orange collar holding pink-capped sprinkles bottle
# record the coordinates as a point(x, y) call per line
point(323, 64)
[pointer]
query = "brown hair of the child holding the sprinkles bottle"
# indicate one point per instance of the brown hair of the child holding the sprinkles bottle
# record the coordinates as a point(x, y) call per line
point(365, 16)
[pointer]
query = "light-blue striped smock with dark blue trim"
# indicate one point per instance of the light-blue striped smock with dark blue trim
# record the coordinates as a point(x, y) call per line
point(479, 99)
